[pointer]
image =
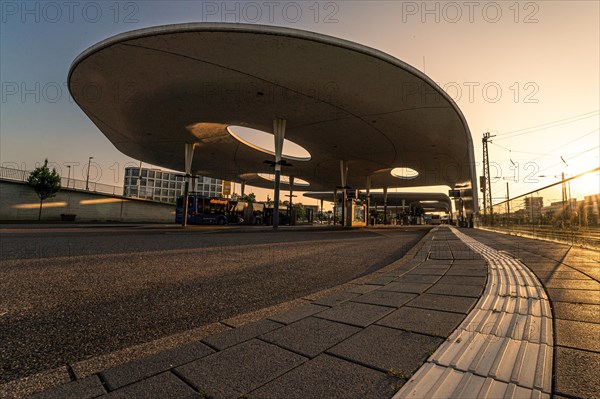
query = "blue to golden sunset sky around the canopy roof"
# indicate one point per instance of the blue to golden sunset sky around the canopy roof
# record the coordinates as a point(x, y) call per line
point(527, 72)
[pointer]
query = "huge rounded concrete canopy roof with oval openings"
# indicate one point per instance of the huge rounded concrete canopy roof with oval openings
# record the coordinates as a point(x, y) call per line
point(152, 90)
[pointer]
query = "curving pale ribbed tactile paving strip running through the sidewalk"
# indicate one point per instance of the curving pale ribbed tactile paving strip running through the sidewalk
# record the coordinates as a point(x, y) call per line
point(503, 348)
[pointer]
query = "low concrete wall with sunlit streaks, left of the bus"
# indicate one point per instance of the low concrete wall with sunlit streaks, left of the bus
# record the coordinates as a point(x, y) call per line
point(18, 202)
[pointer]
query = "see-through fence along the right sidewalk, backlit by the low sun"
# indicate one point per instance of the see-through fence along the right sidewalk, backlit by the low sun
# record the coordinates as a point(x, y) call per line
point(566, 211)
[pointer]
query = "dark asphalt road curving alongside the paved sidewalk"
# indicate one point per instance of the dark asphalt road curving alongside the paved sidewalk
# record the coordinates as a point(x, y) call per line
point(71, 294)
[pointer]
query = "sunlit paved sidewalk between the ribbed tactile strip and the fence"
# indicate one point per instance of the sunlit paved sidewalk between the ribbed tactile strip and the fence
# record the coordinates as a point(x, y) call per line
point(570, 276)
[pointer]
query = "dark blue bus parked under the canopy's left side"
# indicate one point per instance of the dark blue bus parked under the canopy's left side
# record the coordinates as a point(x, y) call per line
point(209, 210)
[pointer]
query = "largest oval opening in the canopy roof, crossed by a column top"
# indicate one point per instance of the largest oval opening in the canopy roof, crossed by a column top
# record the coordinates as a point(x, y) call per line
point(264, 142)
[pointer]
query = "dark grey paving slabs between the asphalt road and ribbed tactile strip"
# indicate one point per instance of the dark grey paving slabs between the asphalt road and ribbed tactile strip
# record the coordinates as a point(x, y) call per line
point(363, 342)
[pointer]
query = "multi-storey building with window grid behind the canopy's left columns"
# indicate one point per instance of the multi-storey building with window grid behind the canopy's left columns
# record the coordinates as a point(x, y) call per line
point(162, 186)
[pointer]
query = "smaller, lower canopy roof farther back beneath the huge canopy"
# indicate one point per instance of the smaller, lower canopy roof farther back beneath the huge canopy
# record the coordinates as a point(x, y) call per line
point(429, 201)
